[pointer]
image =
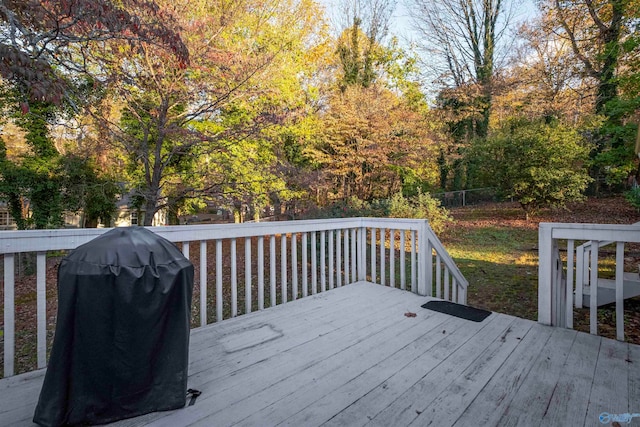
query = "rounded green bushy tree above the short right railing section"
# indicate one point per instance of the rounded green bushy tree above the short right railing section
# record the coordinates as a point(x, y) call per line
point(537, 164)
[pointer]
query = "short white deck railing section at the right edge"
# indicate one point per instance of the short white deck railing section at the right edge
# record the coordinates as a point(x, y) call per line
point(560, 286)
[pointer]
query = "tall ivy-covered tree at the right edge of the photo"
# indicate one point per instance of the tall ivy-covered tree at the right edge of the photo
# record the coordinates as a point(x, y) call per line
point(603, 37)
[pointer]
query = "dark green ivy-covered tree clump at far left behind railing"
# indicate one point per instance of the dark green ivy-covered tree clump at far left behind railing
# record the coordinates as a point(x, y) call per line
point(40, 184)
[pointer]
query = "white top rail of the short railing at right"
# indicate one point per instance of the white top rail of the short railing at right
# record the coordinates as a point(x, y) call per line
point(601, 232)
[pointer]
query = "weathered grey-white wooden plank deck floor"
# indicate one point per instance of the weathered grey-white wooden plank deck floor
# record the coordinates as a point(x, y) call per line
point(351, 357)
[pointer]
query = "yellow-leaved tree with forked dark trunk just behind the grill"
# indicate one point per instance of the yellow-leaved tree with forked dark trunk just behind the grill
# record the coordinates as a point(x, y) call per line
point(175, 123)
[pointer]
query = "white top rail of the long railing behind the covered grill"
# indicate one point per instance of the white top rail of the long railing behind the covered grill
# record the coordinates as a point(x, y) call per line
point(60, 239)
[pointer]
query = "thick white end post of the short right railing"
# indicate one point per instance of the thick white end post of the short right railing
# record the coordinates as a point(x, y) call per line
point(545, 274)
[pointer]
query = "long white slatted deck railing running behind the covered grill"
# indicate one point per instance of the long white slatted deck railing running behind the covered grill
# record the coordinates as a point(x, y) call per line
point(313, 256)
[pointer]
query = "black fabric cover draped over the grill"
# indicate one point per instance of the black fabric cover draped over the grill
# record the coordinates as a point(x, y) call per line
point(122, 337)
